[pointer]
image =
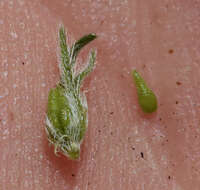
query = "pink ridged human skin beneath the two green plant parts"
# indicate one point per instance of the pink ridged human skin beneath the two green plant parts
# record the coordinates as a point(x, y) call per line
point(161, 39)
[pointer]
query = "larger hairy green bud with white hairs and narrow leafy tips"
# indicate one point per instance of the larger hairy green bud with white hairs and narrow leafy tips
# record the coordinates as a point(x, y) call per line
point(67, 119)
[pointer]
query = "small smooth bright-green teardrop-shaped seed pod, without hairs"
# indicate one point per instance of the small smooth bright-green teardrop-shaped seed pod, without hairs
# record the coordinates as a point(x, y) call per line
point(146, 97)
